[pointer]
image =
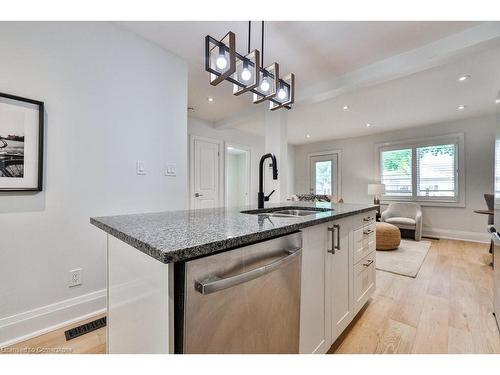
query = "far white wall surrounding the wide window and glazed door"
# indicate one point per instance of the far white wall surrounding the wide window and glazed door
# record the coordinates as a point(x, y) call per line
point(358, 169)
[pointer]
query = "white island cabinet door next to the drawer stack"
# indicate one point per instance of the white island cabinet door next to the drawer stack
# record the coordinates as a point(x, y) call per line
point(339, 277)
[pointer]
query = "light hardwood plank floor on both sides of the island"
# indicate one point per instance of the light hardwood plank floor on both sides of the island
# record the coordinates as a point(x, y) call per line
point(447, 308)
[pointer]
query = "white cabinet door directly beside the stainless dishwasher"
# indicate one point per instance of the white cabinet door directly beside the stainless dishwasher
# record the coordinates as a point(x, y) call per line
point(312, 307)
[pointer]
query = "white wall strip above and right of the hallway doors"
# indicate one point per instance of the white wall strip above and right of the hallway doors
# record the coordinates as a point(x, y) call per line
point(255, 143)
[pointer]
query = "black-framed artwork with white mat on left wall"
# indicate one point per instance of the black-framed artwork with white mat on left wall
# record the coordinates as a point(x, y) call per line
point(21, 143)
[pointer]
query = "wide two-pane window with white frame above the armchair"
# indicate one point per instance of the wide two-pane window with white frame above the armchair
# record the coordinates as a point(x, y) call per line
point(425, 170)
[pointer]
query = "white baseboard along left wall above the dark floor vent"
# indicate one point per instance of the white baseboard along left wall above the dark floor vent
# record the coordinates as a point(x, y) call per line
point(36, 322)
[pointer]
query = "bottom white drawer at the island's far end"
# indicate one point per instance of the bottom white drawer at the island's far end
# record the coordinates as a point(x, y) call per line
point(364, 280)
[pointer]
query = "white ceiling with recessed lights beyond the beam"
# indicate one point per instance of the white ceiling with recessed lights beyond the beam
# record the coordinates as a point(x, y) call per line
point(427, 97)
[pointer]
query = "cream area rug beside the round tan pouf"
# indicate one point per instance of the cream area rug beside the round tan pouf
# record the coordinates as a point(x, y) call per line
point(406, 260)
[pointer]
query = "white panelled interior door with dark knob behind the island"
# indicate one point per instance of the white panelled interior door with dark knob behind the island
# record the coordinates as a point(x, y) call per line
point(205, 173)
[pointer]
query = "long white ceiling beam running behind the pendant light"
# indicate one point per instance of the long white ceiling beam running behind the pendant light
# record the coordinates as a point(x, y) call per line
point(437, 53)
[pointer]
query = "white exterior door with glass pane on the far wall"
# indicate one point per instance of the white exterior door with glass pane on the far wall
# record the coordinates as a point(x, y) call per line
point(324, 174)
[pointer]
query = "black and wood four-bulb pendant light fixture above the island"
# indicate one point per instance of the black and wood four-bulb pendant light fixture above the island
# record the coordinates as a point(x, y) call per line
point(247, 73)
